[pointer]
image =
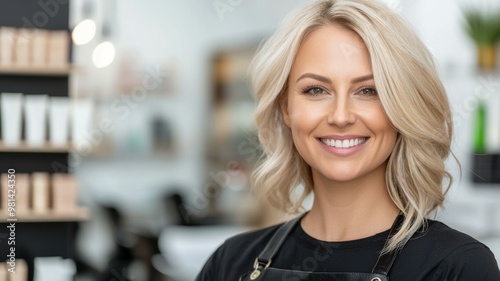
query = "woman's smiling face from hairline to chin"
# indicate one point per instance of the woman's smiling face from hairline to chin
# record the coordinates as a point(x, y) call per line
point(332, 107)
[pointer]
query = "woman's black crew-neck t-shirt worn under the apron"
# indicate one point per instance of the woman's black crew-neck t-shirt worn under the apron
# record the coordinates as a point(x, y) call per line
point(437, 254)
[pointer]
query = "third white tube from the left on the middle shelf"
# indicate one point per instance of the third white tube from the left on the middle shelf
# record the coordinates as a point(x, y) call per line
point(59, 121)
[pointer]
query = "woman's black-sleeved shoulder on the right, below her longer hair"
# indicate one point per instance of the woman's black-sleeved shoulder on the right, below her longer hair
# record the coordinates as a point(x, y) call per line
point(439, 252)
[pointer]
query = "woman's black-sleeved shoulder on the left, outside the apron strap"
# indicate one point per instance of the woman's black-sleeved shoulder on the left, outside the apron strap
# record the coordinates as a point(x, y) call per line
point(236, 255)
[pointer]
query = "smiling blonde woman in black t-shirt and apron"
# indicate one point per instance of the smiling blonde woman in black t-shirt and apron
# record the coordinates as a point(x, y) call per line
point(350, 107)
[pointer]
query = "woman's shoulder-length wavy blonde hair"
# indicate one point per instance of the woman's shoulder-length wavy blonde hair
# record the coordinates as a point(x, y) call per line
point(410, 92)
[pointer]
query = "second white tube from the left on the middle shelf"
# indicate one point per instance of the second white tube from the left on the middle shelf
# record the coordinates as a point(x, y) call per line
point(35, 120)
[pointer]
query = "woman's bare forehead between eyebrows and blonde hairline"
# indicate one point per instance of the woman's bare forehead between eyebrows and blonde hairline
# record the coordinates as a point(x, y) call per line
point(332, 50)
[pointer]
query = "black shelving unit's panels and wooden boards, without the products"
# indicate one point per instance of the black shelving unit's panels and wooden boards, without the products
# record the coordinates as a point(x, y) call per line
point(49, 234)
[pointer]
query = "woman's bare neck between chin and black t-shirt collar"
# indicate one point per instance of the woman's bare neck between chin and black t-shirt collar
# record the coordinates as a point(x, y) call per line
point(344, 211)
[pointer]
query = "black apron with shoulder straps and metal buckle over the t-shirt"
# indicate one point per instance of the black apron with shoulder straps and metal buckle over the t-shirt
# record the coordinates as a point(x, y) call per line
point(263, 272)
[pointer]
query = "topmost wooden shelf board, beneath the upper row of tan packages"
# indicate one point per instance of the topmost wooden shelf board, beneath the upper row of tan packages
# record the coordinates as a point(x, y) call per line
point(36, 70)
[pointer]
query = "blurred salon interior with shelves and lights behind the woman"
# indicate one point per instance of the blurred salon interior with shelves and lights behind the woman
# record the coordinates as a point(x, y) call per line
point(129, 127)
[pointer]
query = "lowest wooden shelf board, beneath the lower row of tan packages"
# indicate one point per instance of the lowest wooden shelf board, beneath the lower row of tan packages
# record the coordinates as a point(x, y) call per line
point(81, 214)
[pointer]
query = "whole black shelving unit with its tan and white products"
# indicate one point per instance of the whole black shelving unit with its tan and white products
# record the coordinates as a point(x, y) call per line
point(35, 68)
